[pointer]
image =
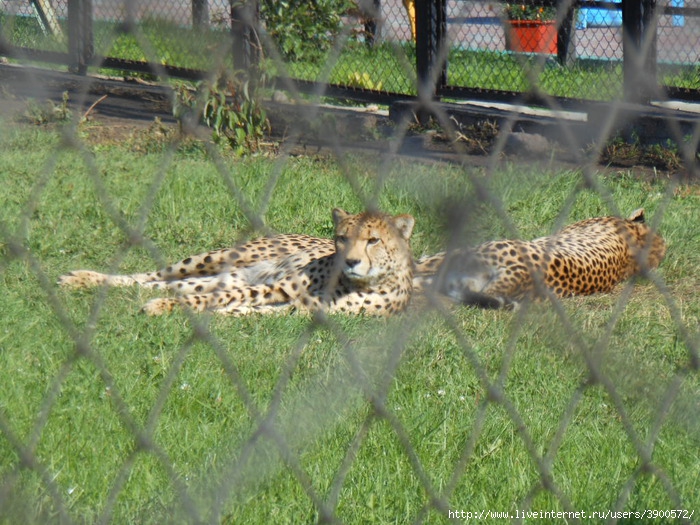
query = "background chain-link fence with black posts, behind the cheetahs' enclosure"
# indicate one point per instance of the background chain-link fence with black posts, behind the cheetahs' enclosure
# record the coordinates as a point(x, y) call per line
point(463, 44)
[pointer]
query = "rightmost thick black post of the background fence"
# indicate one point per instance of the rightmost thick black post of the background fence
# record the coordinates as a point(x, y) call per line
point(639, 50)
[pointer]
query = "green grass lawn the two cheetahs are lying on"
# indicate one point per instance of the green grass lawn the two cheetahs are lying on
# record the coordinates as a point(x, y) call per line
point(194, 386)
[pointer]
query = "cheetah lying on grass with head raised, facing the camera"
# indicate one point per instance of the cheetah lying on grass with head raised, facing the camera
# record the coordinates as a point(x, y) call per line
point(366, 269)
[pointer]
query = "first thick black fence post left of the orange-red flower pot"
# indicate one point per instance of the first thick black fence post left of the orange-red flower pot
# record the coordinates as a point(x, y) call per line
point(431, 19)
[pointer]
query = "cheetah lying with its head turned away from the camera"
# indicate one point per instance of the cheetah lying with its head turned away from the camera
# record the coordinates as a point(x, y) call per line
point(587, 257)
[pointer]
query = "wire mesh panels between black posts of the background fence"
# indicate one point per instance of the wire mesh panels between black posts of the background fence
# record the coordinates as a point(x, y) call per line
point(574, 50)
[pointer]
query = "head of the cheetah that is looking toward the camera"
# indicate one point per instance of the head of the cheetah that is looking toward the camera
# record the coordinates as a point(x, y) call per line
point(372, 246)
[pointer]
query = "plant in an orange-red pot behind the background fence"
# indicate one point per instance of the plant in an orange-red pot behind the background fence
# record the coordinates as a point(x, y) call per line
point(531, 28)
